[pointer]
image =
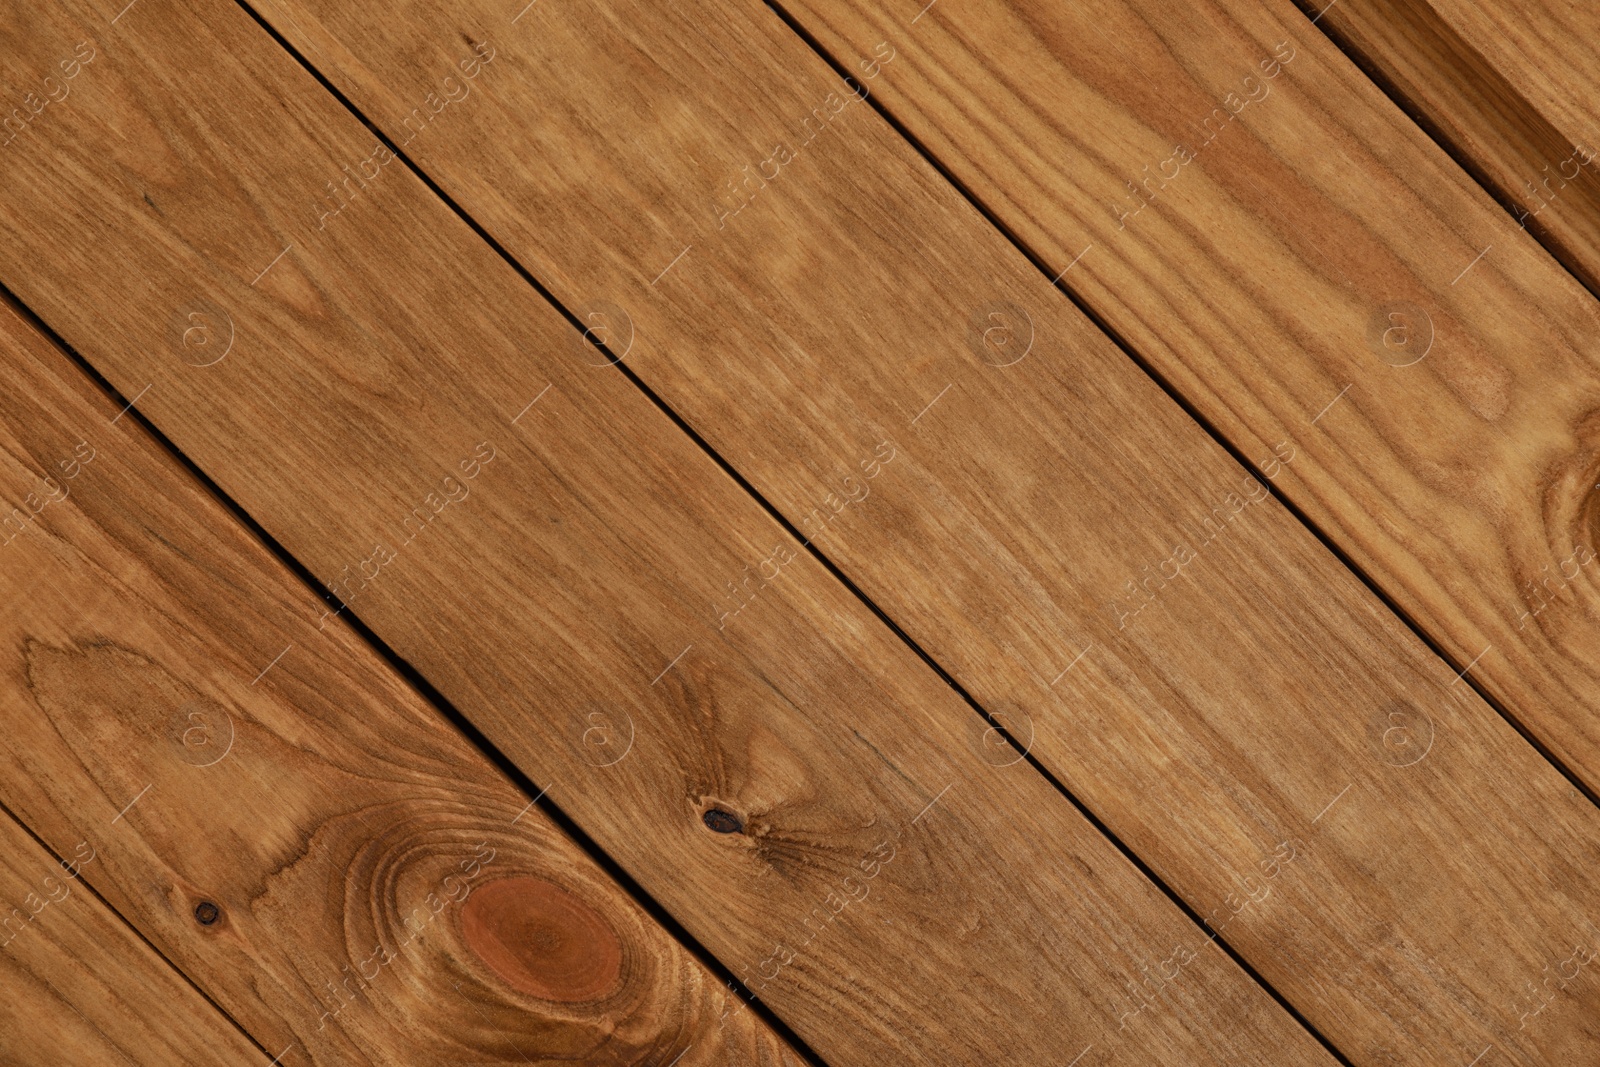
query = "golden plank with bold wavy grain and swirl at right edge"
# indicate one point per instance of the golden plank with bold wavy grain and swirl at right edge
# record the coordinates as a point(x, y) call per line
point(1314, 273)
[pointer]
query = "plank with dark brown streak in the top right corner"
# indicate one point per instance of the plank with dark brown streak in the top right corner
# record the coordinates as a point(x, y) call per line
point(1508, 89)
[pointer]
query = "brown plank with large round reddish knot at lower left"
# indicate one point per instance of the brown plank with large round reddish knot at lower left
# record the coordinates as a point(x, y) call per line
point(314, 845)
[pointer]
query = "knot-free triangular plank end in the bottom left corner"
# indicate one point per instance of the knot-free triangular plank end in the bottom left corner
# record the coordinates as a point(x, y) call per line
point(79, 988)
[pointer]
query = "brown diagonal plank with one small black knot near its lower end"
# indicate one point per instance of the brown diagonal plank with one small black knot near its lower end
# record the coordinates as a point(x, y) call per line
point(806, 796)
